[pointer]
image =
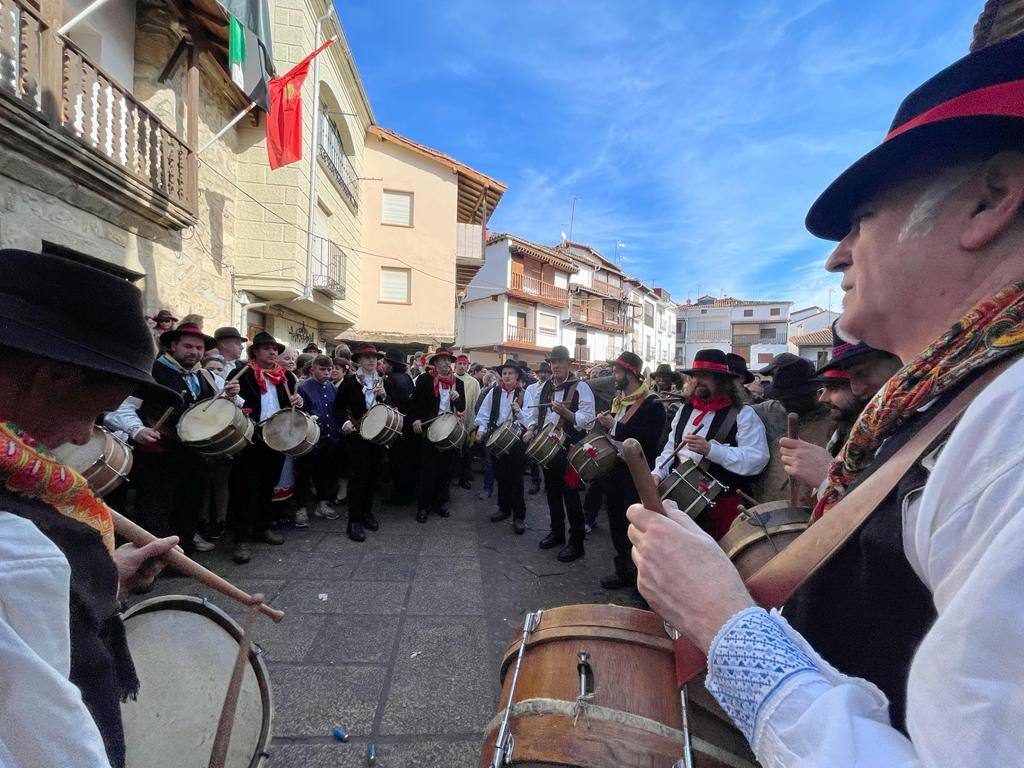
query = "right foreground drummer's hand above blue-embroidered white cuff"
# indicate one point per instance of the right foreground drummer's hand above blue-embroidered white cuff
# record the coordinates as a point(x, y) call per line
point(685, 575)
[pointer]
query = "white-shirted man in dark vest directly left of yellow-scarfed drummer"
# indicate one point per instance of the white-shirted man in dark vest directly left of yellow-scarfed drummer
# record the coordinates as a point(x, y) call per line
point(566, 401)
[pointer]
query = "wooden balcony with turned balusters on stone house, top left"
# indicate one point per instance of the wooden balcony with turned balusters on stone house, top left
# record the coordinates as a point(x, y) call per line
point(79, 120)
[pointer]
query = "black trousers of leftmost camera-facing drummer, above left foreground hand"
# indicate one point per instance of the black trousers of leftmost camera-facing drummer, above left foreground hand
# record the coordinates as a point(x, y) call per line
point(169, 488)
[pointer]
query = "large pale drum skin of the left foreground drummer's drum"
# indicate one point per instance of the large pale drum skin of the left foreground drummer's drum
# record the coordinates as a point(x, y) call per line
point(185, 651)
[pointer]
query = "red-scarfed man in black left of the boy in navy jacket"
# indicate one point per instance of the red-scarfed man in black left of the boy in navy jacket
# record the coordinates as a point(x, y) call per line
point(266, 389)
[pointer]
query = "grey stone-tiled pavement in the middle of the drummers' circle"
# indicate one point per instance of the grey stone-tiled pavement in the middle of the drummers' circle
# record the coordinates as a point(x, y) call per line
point(405, 651)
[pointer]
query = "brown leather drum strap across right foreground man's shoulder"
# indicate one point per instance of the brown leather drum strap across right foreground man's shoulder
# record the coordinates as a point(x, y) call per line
point(776, 582)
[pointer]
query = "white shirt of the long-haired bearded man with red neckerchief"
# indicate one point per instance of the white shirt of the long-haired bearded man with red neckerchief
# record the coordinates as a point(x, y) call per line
point(748, 458)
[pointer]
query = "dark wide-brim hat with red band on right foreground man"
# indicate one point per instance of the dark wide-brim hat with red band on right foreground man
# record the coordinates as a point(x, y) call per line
point(974, 108)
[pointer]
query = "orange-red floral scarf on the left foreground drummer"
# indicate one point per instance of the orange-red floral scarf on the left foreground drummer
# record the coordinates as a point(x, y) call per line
point(30, 471)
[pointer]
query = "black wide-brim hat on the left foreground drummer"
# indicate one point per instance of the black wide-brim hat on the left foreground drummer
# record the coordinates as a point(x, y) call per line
point(44, 302)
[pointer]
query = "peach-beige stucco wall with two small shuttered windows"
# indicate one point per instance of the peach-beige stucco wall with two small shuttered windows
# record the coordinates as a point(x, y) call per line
point(429, 248)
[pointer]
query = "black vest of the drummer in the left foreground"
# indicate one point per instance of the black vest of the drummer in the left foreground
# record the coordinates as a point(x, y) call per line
point(101, 663)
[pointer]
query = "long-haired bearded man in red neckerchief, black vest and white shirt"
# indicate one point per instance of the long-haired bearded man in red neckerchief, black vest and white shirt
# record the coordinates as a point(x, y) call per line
point(714, 428)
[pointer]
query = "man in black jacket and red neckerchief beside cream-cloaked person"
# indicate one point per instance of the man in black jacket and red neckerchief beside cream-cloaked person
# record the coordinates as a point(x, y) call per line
point(438, 392)
